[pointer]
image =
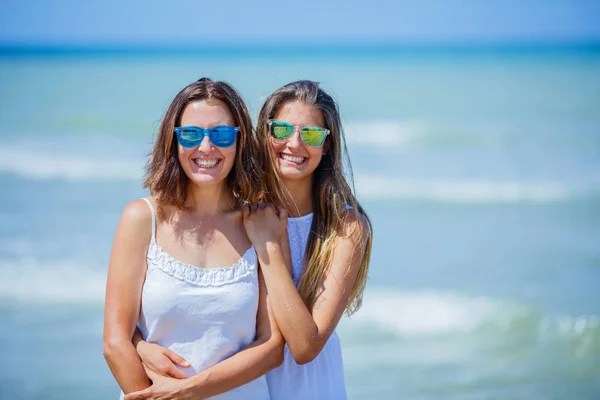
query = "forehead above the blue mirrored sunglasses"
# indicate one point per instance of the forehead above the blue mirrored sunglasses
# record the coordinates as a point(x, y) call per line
point(206, 114)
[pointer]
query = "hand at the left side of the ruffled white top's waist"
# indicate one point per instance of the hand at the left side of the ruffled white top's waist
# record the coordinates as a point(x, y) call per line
point(161, 360)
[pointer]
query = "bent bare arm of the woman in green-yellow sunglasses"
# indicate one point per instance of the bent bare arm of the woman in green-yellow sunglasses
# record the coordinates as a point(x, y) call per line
point(306, 330)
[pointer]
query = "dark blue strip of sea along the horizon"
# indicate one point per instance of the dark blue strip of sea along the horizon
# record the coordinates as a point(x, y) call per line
point(8, 48)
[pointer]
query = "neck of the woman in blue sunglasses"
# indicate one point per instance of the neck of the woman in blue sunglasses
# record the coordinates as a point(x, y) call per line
point(208, 199)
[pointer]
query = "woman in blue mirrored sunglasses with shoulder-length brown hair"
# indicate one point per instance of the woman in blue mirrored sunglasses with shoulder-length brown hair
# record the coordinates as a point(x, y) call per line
point(182, 268)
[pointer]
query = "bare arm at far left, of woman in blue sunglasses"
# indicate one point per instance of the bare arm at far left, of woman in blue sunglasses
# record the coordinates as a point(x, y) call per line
point(126, 274)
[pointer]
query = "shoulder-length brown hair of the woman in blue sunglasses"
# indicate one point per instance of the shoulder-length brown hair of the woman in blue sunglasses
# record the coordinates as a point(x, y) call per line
point(165, 177)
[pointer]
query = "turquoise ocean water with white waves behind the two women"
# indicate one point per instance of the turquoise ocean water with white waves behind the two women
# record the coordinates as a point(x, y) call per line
point(480, 170)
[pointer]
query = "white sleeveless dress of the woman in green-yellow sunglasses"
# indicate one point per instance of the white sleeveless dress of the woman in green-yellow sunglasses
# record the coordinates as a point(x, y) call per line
point(322, 378)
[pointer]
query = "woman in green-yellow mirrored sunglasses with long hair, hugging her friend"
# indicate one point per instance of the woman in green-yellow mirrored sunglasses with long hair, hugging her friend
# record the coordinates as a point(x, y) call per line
point(316, 269)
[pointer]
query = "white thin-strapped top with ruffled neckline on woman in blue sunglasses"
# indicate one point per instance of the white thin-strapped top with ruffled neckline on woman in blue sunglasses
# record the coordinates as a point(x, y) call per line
point(203, 314)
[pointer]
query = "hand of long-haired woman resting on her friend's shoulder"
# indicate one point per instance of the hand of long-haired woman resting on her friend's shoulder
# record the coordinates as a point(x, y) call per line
point(264, 224)
